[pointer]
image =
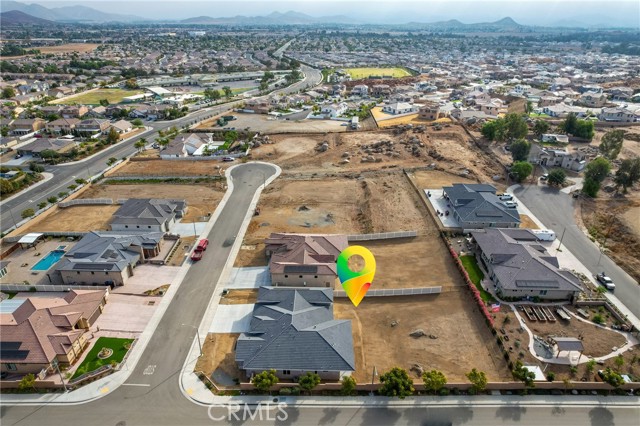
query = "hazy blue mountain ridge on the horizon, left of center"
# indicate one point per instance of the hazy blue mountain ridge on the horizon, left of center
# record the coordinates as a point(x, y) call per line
point(275, 18)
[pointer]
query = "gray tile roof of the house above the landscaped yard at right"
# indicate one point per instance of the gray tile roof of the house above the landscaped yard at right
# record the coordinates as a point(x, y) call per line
point(519, 262)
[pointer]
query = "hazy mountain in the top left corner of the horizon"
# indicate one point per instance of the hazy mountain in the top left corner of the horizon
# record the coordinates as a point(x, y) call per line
point(67, 13)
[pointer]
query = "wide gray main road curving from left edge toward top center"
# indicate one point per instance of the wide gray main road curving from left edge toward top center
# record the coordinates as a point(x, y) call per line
point(66, 174)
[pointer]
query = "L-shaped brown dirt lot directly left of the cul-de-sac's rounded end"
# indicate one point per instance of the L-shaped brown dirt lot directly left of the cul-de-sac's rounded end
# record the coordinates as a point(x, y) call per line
point(201, 199)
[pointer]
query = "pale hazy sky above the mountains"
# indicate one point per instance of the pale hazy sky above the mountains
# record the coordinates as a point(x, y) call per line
point(540, 12)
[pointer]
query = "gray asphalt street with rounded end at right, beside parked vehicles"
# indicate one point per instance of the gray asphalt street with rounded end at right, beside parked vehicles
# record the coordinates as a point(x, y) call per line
point(556, 210)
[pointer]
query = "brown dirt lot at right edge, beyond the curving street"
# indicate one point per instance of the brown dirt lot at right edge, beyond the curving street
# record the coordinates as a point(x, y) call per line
point(615, 223)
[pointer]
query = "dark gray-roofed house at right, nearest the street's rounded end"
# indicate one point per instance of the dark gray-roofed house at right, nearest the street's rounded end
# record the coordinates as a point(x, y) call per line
point(477, 206)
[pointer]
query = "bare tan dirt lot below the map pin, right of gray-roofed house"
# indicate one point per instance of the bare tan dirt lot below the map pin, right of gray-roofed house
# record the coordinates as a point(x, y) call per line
point(462, 343)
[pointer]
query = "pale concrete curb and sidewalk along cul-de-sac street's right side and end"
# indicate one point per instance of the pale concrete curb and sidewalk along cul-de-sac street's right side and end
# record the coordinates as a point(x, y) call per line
point(187, 373)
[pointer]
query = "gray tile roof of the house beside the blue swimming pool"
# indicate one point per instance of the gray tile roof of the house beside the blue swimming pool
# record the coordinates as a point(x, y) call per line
point(107, 251)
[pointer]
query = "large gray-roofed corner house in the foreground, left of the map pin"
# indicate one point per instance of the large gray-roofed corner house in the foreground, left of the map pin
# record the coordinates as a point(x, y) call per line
point(292, 331)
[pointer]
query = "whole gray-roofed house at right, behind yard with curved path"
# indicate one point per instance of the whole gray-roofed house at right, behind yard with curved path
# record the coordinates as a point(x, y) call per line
point(520, 266)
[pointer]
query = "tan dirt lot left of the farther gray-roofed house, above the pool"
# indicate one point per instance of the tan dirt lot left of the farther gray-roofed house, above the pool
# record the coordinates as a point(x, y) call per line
point(75, 219)
